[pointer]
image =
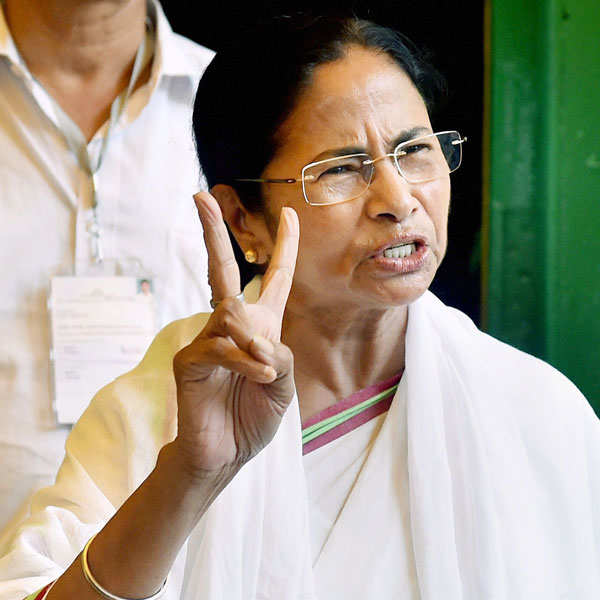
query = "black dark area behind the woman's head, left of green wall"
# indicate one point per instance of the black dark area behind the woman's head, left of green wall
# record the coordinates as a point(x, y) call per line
point(453, 32)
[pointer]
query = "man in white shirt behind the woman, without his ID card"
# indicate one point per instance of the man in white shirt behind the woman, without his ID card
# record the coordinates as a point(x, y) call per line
point(64, 64)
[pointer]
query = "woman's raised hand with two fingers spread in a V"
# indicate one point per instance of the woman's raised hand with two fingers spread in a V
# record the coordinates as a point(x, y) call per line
point(235, 380)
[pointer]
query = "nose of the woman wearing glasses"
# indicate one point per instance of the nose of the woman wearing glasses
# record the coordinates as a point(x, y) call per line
point(390, 196)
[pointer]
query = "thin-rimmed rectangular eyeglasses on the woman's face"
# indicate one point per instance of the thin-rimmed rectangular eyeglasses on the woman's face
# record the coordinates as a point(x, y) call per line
point(345, 178)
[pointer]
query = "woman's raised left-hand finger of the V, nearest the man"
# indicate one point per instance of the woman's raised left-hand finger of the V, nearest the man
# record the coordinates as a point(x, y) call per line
point(223, 271)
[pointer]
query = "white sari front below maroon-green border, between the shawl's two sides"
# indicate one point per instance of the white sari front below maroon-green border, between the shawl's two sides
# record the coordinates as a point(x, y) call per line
point(359, 521)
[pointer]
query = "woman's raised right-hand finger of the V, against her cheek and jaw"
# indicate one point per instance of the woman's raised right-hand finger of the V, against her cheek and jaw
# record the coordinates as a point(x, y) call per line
point(278, 278)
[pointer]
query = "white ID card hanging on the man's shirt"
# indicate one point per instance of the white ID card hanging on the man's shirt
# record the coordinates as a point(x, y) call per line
point(101, 327)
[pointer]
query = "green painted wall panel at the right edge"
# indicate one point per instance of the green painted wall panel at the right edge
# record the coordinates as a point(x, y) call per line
point(542, 211)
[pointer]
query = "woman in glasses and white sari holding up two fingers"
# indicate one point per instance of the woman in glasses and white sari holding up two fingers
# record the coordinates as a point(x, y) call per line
point(481, 479)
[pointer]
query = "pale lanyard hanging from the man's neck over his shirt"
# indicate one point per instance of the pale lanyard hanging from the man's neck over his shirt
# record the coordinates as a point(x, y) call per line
point(78, 144)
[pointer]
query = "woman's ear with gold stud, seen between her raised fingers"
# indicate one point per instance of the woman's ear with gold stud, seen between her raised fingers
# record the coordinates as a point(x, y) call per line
point(249, 229)
